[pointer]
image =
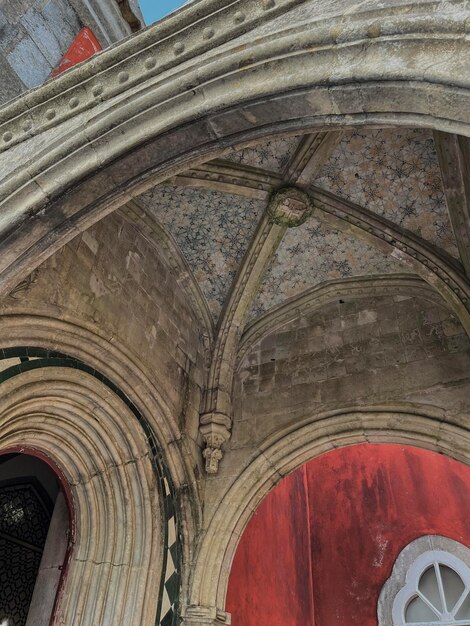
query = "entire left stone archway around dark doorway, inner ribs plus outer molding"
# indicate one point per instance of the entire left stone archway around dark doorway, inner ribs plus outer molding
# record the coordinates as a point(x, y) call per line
point(80, 412)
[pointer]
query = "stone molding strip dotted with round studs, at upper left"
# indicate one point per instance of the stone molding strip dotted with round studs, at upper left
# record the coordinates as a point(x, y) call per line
point(194, 30)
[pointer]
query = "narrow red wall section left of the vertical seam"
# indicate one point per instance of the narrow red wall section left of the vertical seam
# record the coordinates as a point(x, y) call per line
point(271, 576)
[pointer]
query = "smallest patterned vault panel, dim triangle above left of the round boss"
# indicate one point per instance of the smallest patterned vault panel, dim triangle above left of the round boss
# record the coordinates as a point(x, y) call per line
point(272, 156)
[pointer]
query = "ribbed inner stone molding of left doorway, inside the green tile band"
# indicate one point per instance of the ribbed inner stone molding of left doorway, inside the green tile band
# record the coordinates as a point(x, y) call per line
point(106, 465)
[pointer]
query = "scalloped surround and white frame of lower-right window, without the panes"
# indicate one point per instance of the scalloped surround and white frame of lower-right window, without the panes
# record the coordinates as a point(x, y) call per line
point(411, 563)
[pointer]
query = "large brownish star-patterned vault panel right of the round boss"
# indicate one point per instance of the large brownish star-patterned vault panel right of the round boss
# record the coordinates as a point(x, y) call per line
point(395, 173)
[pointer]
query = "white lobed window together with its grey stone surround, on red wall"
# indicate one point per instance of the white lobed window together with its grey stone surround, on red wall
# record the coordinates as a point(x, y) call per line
point(429, 585)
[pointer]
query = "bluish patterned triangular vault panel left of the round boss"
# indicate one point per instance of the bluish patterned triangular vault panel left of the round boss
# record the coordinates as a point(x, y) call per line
point(212, 229)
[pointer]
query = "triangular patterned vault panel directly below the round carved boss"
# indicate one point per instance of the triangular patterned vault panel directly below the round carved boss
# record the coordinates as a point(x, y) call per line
point(311, 254)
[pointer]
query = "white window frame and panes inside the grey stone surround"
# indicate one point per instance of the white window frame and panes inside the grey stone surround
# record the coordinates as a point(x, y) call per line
point(437, 592)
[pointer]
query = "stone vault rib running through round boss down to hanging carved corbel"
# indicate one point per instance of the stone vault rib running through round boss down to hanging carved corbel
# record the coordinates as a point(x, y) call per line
point(288, 207)
